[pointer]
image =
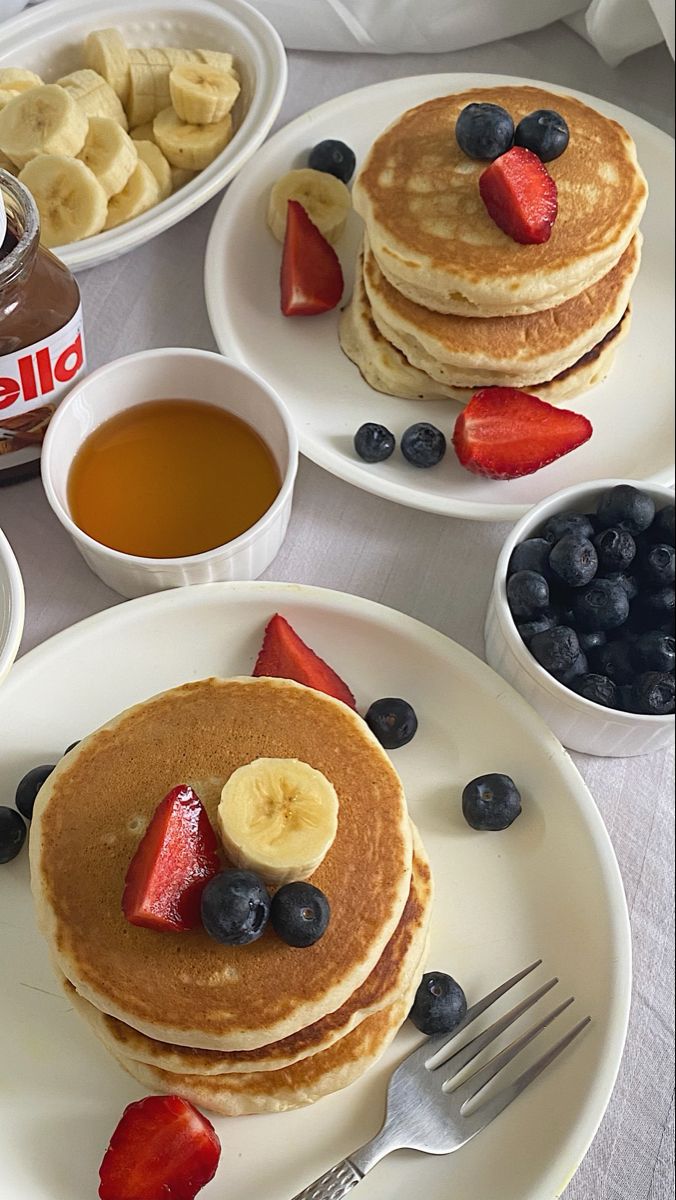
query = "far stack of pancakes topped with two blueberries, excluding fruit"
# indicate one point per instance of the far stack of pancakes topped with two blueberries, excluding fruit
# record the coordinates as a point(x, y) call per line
point(446, 303)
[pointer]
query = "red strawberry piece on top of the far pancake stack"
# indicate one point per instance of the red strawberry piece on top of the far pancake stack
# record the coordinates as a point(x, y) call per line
point(521, 196)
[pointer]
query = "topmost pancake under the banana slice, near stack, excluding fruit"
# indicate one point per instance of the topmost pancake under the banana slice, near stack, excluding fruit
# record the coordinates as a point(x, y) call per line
point(186, 988)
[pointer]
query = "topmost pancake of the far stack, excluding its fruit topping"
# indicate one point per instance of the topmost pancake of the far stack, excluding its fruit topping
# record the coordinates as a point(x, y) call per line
point(434, 239)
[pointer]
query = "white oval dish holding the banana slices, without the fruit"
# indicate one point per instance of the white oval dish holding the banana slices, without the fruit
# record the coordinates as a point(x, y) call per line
point(49, 40)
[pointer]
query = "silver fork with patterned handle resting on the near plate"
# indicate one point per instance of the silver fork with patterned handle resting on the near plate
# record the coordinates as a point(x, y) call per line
point(422, 1114)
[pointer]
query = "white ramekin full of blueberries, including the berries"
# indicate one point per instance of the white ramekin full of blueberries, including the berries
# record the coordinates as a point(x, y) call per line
point(581, 619)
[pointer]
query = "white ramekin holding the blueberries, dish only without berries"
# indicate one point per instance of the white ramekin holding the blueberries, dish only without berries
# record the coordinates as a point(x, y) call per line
point(578, 723)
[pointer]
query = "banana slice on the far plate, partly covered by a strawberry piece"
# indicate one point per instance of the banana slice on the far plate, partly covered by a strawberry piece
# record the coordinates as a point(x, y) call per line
point(325, 199)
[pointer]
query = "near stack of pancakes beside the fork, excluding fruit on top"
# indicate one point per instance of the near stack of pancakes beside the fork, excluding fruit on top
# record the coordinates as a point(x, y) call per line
point(235, 1029)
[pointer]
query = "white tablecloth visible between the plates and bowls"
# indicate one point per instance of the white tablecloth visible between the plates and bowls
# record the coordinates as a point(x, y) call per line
point(345, 539)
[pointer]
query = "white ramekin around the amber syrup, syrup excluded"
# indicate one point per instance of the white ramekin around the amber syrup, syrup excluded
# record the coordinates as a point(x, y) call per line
point(172, 375)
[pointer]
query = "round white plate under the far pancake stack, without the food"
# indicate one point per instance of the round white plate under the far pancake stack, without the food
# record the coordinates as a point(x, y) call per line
point(632, 412)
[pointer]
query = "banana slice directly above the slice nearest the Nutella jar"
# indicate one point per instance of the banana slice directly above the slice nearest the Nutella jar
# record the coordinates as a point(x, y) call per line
point(43, 122)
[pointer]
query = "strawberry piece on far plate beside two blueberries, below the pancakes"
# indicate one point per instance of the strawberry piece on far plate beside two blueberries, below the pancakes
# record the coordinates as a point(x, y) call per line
point(506, 434)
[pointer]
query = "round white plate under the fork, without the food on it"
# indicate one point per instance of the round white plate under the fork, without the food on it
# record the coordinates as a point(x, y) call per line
point(548, 887)
